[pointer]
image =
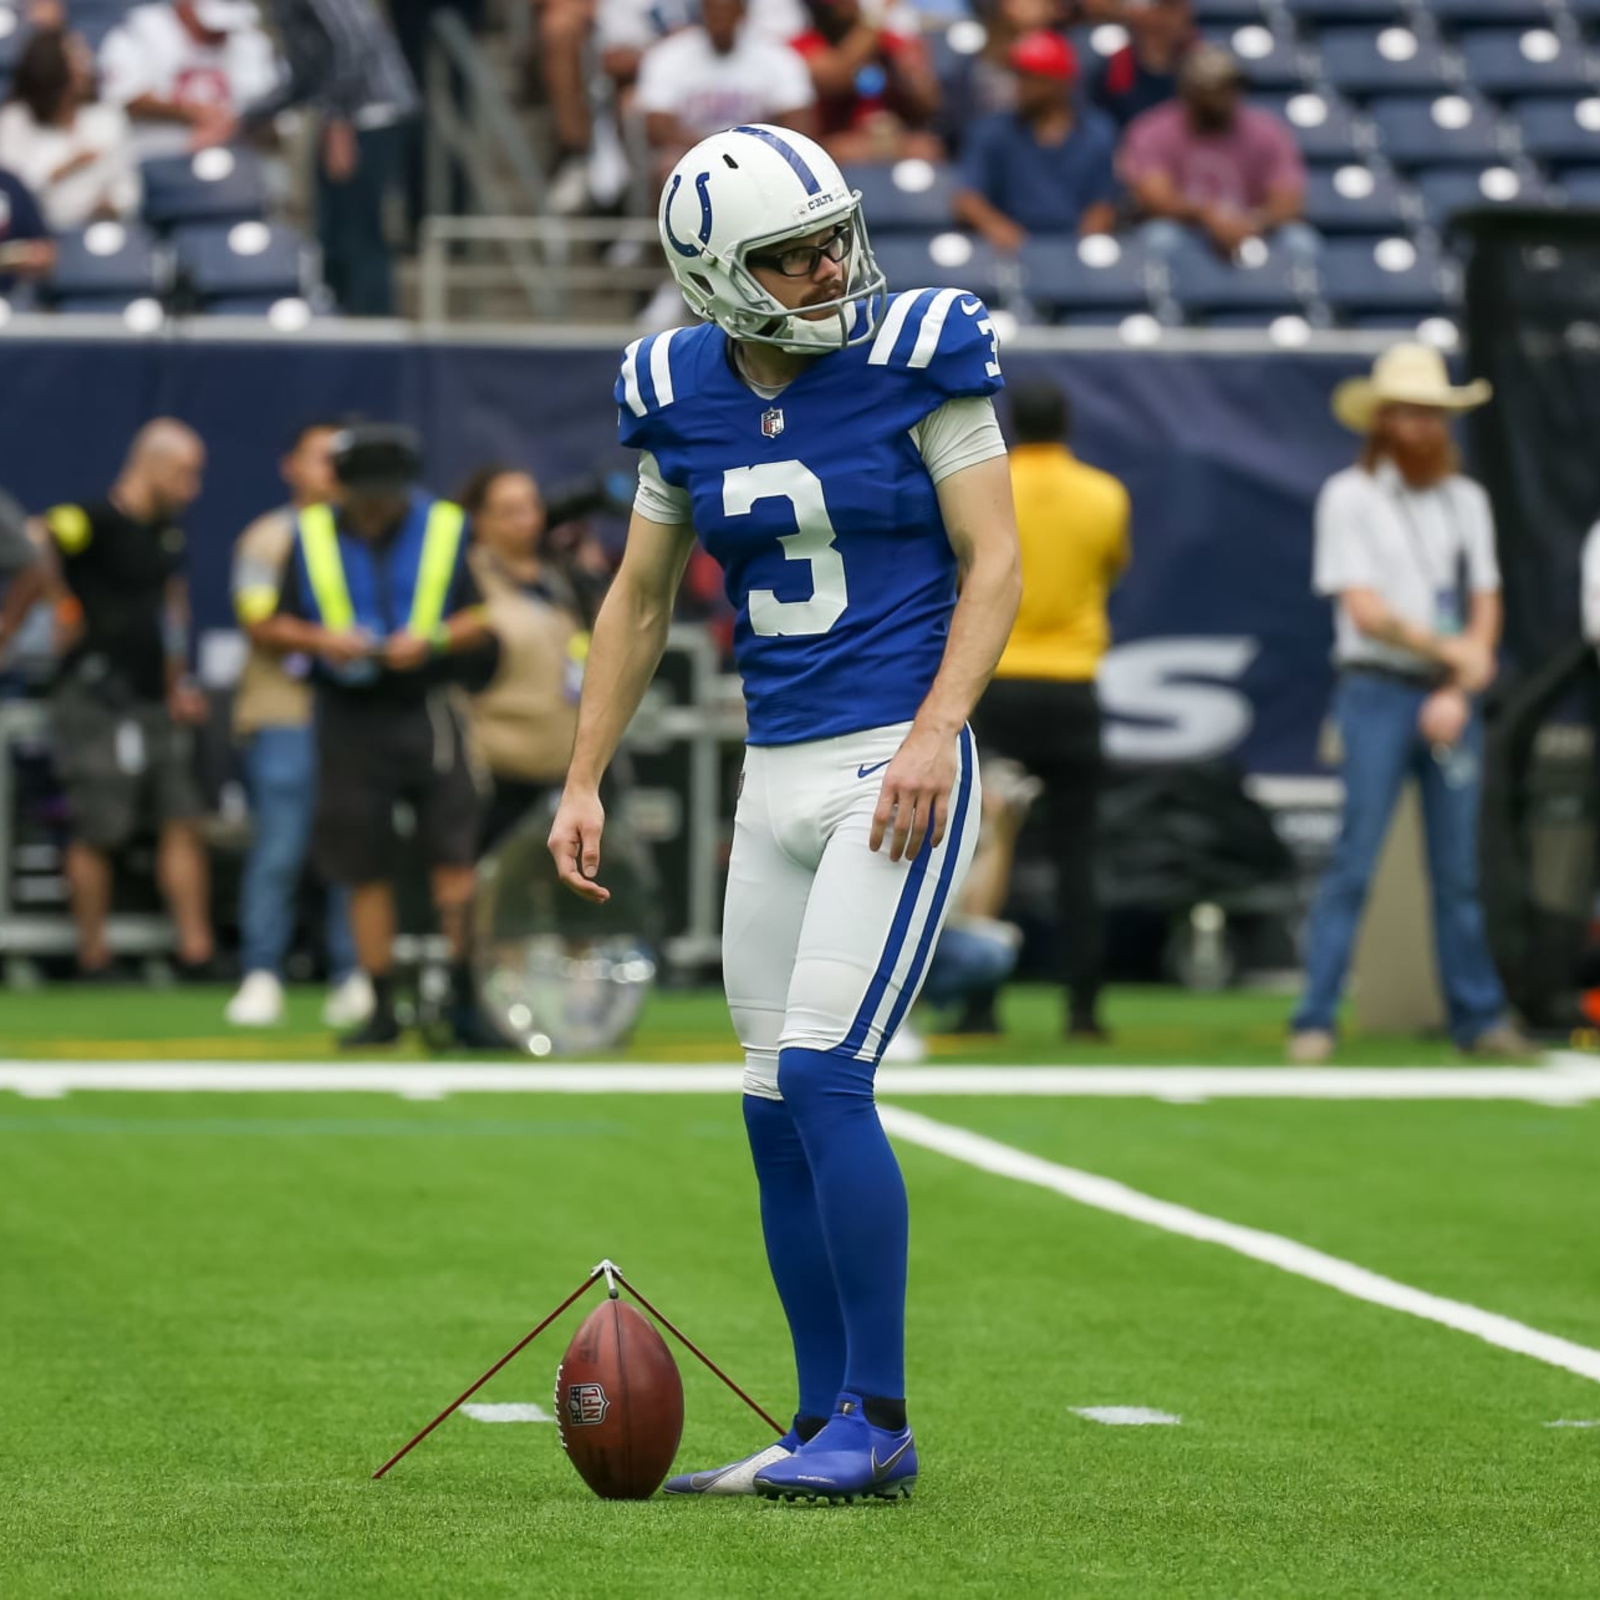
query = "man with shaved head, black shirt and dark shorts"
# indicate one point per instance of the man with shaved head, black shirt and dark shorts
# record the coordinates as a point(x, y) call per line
point(122, 702)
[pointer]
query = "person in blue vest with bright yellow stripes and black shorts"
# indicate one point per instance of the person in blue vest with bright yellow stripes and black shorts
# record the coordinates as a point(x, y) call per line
point(382, 601)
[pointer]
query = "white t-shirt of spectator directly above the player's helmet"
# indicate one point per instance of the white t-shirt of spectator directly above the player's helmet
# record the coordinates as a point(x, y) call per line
point(756, 82)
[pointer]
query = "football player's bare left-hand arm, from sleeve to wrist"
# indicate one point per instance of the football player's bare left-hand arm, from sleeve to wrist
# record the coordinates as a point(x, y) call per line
point(630, 639)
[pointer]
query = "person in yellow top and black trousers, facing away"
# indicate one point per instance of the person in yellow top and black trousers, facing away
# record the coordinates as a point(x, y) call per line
point(1042, 708)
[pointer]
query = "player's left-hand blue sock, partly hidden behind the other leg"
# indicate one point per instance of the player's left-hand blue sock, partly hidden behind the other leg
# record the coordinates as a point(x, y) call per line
point(798, 1254)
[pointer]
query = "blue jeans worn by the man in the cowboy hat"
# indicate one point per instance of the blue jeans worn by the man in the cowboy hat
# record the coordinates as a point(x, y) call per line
point(1377, 721)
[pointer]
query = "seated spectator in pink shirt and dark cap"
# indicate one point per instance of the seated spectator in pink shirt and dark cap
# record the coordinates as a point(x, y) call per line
point(1214, 164)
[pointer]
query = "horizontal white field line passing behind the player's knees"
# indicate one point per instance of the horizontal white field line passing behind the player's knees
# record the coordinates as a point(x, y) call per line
point(1570, 1081)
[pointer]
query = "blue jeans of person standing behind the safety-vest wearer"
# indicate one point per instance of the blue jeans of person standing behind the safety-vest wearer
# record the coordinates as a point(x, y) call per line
point(281, 767)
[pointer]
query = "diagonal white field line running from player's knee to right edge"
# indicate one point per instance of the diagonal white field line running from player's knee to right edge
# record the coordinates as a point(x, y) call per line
point(1105, 1194)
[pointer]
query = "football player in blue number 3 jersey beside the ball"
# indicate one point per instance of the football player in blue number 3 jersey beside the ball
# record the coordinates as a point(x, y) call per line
point(836, 450)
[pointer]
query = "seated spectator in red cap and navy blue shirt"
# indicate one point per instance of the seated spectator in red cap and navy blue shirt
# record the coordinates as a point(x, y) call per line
point(1047, 167)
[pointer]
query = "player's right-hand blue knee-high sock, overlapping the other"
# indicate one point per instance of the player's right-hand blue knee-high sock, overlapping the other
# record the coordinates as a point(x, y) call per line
point(862, 1204)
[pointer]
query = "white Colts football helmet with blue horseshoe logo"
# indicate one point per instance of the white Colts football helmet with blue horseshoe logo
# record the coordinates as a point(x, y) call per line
point(753, 188)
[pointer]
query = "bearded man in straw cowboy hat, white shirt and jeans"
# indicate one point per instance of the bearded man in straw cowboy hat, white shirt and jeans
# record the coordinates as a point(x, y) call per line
point(1406, 545)
